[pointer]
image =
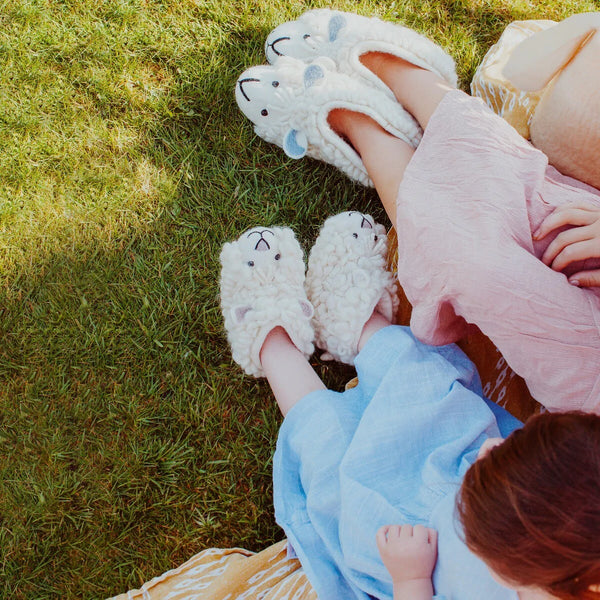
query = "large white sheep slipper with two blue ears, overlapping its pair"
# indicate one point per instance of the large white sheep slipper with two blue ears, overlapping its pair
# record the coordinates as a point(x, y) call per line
point(289, 103)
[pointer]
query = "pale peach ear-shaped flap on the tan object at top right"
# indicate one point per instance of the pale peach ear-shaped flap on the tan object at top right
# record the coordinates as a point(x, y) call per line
point(537, 59)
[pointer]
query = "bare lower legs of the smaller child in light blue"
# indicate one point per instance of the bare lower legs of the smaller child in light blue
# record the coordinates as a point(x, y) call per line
point(289, 374)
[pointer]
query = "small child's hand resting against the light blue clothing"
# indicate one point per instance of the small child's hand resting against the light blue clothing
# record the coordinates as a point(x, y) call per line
point(408, 553)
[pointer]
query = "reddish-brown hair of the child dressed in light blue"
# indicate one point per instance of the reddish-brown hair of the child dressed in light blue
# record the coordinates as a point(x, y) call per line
point(531, 508)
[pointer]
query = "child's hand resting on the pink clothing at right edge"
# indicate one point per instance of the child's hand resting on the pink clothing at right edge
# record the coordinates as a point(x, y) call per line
point(578, 243)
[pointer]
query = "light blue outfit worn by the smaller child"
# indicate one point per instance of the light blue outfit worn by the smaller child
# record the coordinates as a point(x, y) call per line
point(392, 450)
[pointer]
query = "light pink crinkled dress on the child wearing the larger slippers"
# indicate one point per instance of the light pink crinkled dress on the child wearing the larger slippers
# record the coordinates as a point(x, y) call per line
point(470, 200)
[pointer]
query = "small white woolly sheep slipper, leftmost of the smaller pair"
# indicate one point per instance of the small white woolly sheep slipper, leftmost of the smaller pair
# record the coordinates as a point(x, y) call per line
point(262, 287)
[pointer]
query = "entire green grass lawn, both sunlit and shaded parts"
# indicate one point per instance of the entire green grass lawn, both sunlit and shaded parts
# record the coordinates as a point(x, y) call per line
point(128, 439)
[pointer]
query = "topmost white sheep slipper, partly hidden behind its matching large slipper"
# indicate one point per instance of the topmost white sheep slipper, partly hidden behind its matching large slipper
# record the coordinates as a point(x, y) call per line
point(344, 37)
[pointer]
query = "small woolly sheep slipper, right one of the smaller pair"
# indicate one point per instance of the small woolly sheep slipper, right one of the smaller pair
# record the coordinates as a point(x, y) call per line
point(347, 279)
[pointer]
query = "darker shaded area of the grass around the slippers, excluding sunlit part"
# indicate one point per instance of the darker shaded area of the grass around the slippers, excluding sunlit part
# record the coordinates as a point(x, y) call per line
point(130, 441)
